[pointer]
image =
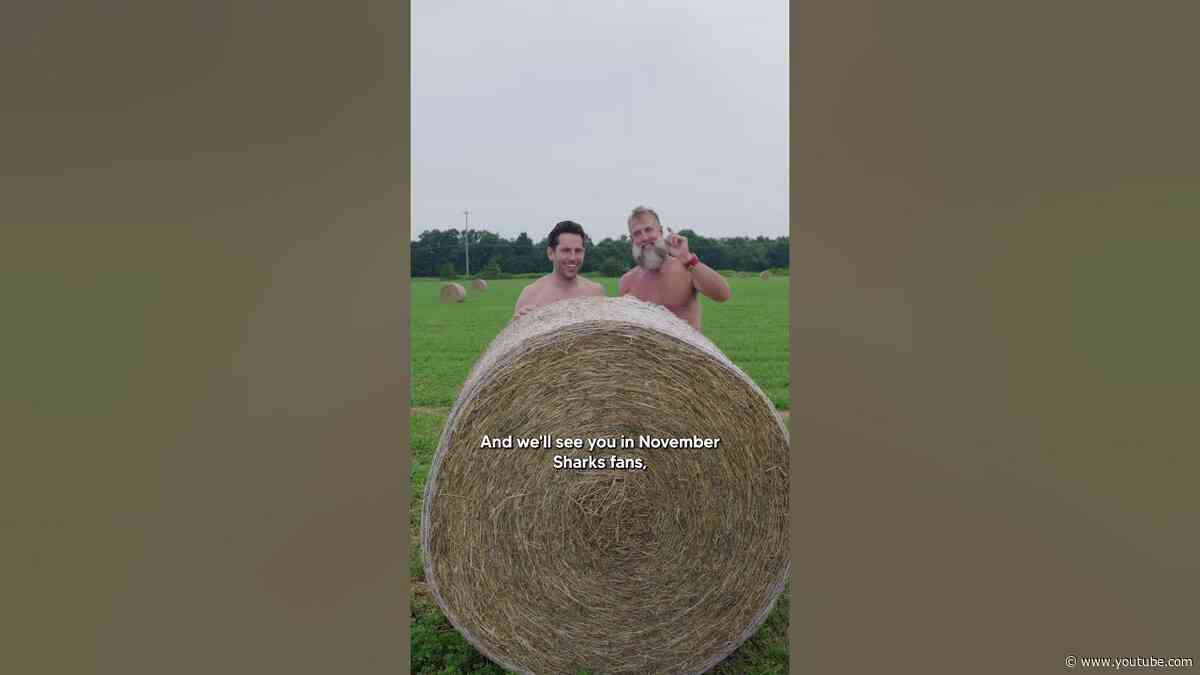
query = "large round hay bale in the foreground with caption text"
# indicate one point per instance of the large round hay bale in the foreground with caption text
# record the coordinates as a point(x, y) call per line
point(665, 570)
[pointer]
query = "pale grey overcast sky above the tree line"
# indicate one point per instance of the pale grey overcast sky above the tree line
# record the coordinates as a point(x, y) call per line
point(530, 112)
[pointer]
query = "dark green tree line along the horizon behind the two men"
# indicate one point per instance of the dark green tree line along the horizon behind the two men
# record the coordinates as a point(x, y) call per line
point(441, 253)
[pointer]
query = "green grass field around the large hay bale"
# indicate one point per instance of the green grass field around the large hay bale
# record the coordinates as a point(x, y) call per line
point(752, 330)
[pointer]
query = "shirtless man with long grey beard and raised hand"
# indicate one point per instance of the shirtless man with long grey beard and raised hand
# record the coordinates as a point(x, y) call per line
point(668, 273)
